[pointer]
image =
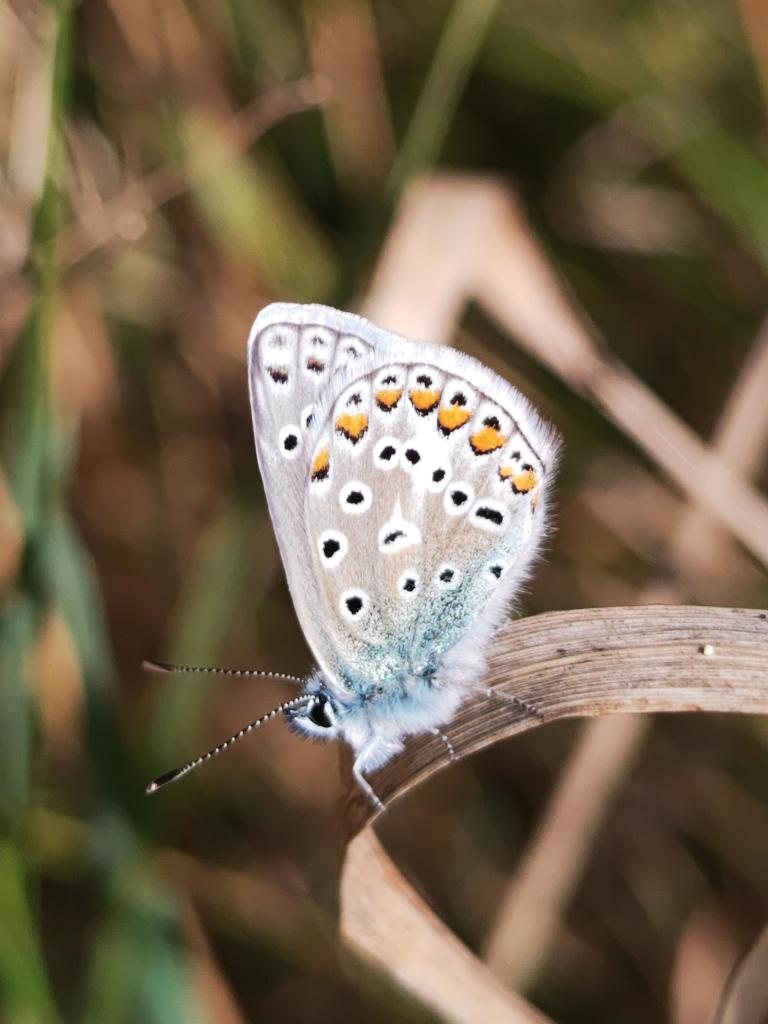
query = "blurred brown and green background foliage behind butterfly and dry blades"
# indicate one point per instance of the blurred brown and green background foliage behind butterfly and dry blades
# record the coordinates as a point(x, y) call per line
point(167, 169)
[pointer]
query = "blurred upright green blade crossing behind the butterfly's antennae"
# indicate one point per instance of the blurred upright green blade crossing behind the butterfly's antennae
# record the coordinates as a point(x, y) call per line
point(208, 606)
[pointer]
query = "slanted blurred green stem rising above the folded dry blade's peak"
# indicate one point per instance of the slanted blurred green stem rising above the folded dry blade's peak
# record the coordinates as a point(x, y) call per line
point(452, 65)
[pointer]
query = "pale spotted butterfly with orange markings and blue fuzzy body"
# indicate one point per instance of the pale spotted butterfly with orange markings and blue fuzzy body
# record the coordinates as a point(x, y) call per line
point(408, 487)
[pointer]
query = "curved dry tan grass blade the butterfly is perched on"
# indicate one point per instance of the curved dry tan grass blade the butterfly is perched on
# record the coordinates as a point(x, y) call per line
point(568, 664)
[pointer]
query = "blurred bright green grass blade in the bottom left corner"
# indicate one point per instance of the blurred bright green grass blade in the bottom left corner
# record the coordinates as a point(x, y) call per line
point(25, 996)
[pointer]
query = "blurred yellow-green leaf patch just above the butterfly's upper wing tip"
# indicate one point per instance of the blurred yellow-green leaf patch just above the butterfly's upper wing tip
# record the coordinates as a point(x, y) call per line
point(251, 206)
